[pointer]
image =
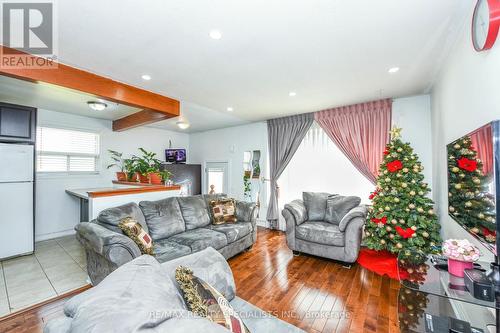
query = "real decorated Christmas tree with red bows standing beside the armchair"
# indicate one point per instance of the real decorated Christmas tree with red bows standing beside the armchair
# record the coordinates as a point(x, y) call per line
point(402, 216)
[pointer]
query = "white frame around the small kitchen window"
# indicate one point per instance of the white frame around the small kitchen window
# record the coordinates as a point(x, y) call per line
point(47, 174)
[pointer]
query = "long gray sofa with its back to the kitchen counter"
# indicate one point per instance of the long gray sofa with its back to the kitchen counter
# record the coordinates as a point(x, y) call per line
point(178, 226)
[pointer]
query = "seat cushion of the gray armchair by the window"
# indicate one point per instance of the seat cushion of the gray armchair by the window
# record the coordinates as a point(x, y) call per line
point(320, 232)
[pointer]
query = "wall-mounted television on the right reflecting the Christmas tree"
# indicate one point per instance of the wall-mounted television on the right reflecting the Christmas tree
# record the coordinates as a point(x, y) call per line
point(473, 183)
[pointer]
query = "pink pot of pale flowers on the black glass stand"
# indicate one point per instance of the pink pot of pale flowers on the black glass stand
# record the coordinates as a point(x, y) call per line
point(461, 255)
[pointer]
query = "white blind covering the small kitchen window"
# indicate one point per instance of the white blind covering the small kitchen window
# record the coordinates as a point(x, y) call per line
point(63, 150)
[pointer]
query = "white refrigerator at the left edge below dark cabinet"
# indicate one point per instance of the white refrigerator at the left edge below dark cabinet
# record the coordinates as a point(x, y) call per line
point(16, 199)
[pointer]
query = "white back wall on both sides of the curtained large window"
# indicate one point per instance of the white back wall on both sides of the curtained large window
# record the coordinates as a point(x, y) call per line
point(411, 113)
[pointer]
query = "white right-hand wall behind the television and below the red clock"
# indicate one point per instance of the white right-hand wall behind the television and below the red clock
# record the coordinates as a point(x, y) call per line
point(465, 97)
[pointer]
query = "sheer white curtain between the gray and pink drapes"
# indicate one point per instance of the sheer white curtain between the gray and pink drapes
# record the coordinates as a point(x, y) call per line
point(319, 166)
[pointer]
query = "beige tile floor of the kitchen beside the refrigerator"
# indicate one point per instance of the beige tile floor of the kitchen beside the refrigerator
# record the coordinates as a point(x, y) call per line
point(56, 267)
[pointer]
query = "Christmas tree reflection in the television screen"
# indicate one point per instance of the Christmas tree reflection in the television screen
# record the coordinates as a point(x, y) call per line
point(469, 197)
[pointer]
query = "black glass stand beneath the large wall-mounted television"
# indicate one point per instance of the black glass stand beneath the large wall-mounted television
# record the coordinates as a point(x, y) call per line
point(429, 296)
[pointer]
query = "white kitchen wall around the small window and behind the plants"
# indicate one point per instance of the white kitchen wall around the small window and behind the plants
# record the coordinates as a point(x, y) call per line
point(56, 212)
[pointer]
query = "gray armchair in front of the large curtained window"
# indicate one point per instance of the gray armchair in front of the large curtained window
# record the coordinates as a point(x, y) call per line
point(325, 225)
